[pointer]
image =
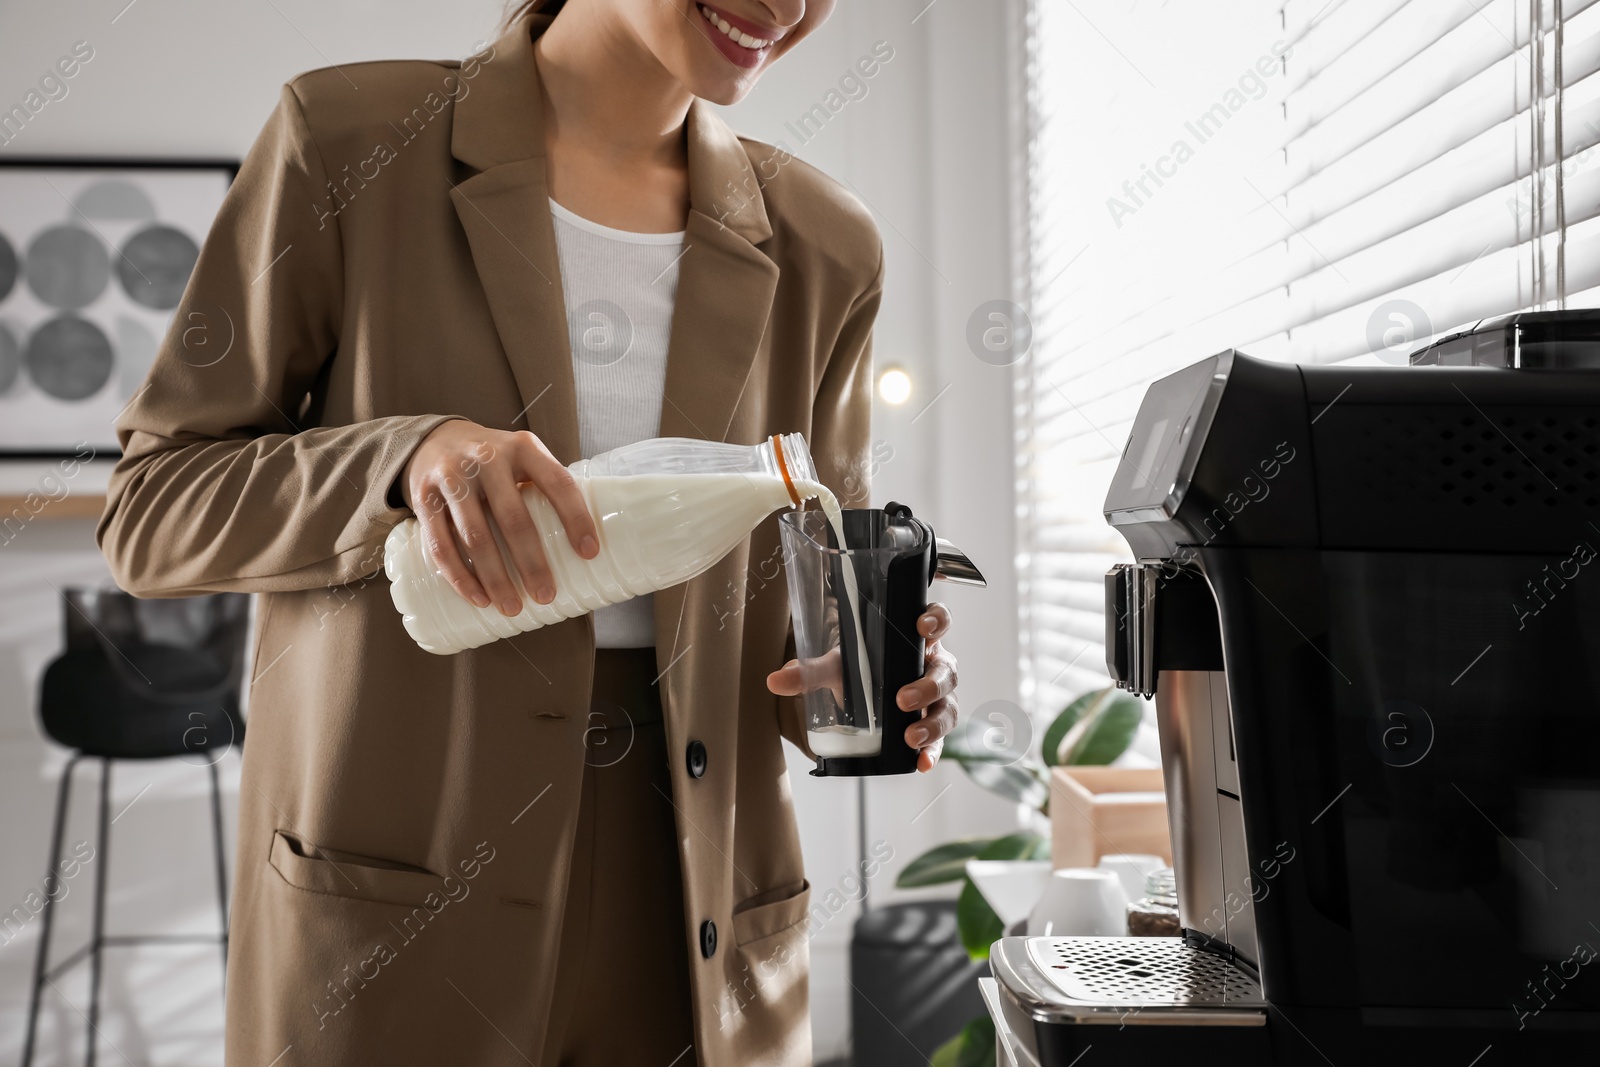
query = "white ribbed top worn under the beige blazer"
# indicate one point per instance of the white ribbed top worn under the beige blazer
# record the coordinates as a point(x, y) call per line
point(620, 290)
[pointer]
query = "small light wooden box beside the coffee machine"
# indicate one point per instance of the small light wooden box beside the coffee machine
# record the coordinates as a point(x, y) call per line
point(1106, 810)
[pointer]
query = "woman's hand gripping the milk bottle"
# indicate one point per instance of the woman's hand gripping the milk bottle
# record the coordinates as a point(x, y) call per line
point(466, 476)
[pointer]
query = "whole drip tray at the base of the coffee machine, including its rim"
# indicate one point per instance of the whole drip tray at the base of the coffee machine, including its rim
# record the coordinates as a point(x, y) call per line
point(1126, 981)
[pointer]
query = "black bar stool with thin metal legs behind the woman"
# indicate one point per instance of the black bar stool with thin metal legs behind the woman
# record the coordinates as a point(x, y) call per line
point(138, 681)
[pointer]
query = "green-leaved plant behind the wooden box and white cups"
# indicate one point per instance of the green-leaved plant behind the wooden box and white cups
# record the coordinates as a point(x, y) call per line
point(1092, 730)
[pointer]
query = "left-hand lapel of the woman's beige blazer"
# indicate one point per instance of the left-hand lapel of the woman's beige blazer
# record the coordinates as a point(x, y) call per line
point(505, 212)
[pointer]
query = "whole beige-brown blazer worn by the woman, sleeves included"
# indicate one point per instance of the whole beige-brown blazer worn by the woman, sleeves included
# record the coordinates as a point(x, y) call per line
point(386, 262)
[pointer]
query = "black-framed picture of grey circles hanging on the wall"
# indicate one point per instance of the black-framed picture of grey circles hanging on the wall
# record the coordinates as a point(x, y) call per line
point(94, 260)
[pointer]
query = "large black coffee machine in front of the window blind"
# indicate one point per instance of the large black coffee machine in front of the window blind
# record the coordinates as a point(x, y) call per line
point(1367, 604)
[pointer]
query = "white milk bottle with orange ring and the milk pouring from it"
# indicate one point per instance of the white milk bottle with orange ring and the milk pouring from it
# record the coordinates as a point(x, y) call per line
point(666, 511)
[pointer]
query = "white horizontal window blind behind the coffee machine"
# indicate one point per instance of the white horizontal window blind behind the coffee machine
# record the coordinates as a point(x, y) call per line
point(1305, 180)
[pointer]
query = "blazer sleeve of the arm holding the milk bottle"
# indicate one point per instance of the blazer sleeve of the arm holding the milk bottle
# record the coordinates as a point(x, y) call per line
point(220, 487)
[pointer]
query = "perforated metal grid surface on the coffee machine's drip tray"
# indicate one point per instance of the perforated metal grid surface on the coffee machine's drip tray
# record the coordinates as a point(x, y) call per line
point(1142, 973)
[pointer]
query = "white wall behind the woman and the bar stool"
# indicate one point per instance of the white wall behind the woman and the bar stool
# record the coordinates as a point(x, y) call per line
point(926, 148)
